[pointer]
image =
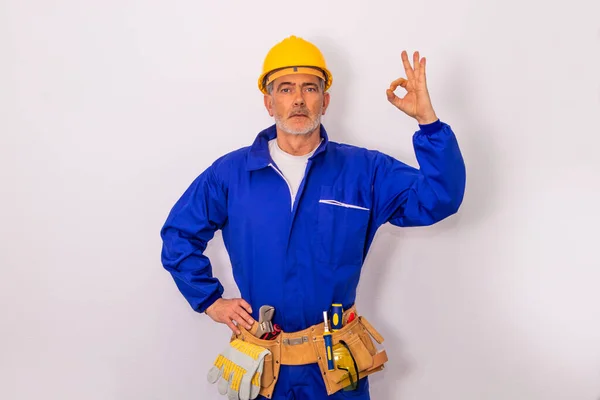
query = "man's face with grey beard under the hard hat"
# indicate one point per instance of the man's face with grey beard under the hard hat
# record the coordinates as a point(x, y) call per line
point(297, 103)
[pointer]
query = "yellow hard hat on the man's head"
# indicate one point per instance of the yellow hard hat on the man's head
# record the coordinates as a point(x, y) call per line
point(293, 55)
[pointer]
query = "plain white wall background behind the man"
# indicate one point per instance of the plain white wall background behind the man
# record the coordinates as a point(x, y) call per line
point(109, 109)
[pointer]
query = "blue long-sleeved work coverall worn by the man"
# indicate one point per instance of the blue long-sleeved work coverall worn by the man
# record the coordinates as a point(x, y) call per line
point(301, 259)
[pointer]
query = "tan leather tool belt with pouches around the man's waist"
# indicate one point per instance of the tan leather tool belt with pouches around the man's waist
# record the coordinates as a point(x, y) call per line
point(308, 347)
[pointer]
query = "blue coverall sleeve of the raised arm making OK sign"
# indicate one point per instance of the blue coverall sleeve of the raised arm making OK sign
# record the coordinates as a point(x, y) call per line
point(406, 196)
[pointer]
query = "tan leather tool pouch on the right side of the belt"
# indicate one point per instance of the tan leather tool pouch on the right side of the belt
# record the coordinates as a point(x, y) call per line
point(358, 335)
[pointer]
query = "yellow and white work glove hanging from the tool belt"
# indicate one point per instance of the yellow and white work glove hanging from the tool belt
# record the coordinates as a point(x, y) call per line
point(239, 368)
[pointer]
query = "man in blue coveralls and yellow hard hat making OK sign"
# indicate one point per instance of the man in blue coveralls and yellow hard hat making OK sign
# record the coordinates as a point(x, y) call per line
point(298, 212)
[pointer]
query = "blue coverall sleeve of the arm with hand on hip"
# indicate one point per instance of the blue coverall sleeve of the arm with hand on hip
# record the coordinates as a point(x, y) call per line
point(192, 222)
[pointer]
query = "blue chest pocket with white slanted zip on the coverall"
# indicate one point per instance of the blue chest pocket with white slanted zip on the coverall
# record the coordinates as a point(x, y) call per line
point(343, 218)
